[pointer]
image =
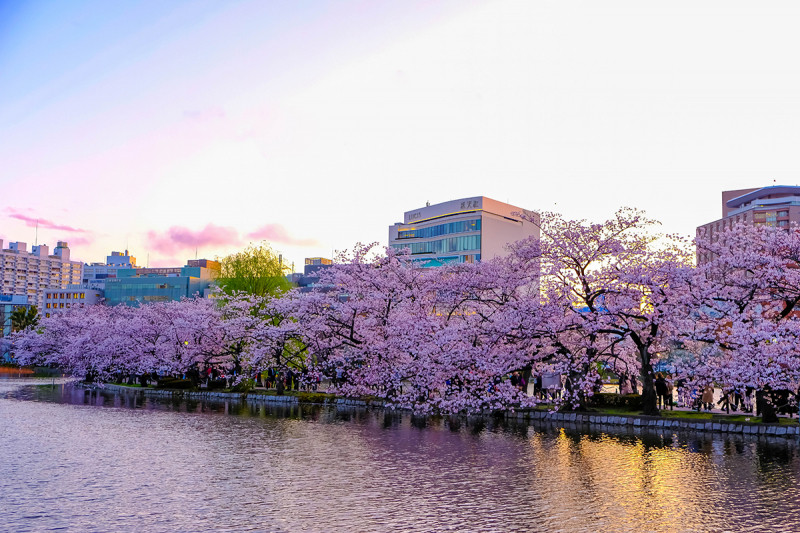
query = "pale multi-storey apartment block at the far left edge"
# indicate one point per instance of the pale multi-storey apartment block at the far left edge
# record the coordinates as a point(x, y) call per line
point(32, 273)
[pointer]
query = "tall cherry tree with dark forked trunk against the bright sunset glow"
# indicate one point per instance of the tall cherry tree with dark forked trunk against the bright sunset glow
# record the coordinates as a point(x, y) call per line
point(610, 292)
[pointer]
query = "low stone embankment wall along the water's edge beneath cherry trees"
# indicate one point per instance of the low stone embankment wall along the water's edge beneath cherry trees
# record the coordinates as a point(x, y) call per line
point(579, 420)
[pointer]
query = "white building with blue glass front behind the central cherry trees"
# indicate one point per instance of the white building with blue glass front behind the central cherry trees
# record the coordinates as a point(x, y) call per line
point(459, 231)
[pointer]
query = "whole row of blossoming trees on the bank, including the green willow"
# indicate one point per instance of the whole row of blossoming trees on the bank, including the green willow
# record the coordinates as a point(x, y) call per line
point(583, 299)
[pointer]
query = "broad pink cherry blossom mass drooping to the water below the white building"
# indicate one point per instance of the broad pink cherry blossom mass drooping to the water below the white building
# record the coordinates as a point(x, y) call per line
point(424, 339)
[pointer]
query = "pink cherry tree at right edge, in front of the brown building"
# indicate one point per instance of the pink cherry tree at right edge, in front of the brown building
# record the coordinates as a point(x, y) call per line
point(742, 315)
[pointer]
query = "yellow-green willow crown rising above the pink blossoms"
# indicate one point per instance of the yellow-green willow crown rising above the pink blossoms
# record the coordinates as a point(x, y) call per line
point(256, 270)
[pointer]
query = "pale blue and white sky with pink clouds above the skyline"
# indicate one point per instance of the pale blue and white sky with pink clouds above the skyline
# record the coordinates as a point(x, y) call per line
point(181, 129)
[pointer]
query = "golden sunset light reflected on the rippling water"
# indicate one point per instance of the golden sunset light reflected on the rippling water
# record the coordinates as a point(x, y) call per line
point(630, 483)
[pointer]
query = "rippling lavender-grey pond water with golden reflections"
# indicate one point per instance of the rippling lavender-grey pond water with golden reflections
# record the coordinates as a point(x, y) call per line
point(75, 460)
